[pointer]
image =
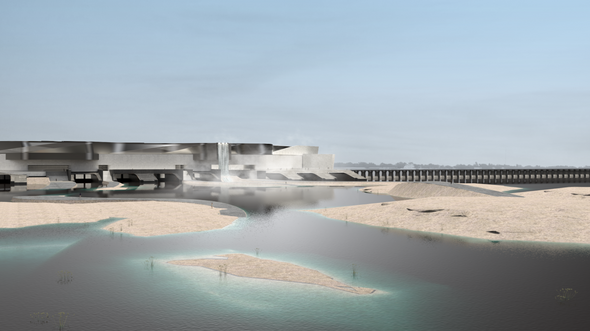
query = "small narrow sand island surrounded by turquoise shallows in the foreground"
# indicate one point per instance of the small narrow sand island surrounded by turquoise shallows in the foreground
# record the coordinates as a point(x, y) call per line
point(252, 267)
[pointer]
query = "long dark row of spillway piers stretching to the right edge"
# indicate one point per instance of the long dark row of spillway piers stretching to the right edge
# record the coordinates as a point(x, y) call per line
point(481, 176)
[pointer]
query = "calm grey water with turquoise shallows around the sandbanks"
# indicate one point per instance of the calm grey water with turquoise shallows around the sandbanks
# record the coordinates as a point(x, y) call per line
point(424, 281)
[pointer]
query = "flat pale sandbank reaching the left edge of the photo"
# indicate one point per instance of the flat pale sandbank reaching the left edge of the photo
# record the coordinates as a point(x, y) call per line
point(141, 218)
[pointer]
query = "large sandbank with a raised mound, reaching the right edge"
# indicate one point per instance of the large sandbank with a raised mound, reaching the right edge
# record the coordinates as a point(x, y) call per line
point(555, 215)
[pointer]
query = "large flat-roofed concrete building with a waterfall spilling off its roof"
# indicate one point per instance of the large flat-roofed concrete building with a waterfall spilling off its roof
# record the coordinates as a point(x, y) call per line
point(136, 162)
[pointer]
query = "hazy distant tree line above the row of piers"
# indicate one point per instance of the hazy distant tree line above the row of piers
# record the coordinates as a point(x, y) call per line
point(411, 165)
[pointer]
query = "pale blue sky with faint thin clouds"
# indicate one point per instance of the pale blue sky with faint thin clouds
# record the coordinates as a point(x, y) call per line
point(429, 81)
